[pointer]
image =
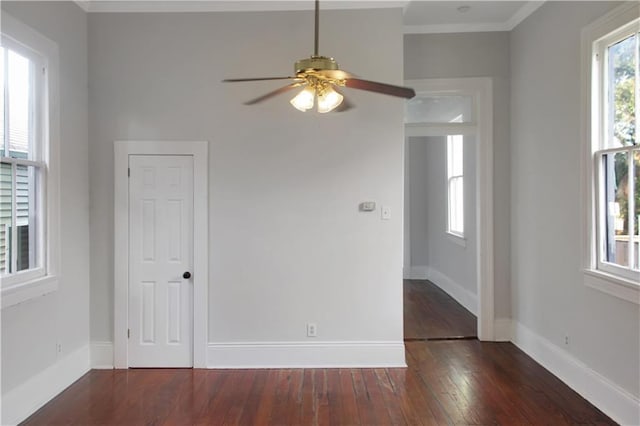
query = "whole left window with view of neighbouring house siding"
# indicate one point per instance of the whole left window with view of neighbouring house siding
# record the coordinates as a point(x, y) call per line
point(28, 176)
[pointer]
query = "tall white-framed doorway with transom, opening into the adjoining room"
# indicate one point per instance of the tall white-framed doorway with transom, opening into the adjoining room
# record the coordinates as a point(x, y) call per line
point(448, 249)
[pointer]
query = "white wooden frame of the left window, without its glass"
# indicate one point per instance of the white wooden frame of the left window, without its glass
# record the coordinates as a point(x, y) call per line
point(22, 286)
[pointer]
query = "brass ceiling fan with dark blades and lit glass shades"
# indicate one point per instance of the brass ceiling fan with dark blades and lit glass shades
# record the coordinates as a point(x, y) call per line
point(319, 76)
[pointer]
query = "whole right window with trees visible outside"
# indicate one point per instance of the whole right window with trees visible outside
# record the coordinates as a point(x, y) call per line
point(615, 150)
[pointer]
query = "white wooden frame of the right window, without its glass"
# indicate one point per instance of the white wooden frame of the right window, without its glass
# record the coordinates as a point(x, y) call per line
point(606, 277)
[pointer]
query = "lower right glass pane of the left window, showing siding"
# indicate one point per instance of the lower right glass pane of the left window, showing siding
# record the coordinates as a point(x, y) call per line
point(26, 224)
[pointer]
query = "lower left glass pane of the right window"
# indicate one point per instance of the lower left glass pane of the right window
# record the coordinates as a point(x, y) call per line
point(616, 179)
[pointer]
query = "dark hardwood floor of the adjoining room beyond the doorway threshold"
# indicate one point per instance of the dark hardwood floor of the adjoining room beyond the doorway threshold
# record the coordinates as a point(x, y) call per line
point(430, 313)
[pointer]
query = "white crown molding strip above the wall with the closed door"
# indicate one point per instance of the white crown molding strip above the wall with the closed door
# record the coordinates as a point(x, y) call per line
point(168, 6)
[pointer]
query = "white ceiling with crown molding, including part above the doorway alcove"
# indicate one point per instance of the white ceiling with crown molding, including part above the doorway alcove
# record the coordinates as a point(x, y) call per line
point(420, 16)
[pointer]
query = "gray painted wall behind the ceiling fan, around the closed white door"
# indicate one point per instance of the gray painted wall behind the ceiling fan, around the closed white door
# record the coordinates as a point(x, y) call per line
point(287, 242)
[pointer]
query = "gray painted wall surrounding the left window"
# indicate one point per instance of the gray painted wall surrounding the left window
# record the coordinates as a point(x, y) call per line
point(31, 330)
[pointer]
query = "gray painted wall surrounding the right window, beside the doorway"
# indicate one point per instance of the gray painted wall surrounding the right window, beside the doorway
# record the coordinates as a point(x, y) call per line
point(548, 292)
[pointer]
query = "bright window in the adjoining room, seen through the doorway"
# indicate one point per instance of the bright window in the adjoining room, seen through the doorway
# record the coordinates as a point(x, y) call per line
point(455, 185)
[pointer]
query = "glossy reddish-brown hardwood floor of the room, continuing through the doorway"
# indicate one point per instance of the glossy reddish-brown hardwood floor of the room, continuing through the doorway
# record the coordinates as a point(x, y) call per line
point(446, 382)
